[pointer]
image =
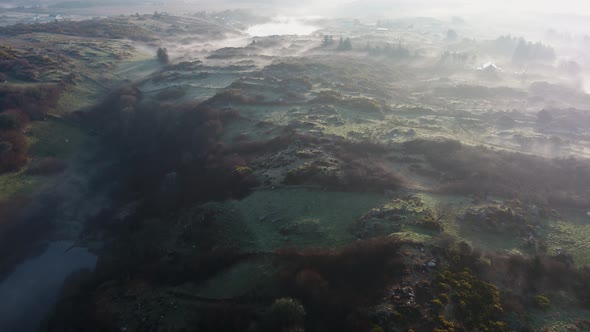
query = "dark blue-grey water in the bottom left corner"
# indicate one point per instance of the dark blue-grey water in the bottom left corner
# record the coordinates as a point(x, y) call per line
point(30, 292)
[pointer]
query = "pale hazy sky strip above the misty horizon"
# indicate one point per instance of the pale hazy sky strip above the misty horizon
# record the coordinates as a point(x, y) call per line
point(490, 10)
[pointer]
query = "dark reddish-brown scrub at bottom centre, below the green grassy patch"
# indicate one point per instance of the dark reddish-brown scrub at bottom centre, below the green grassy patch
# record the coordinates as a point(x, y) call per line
point(334, 283)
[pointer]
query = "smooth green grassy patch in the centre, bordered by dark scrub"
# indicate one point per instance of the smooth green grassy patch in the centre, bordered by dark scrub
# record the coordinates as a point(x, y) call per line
point(258, 222)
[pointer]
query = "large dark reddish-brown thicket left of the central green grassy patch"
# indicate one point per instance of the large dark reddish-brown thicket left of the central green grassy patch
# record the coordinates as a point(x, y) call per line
point(186, 139)
